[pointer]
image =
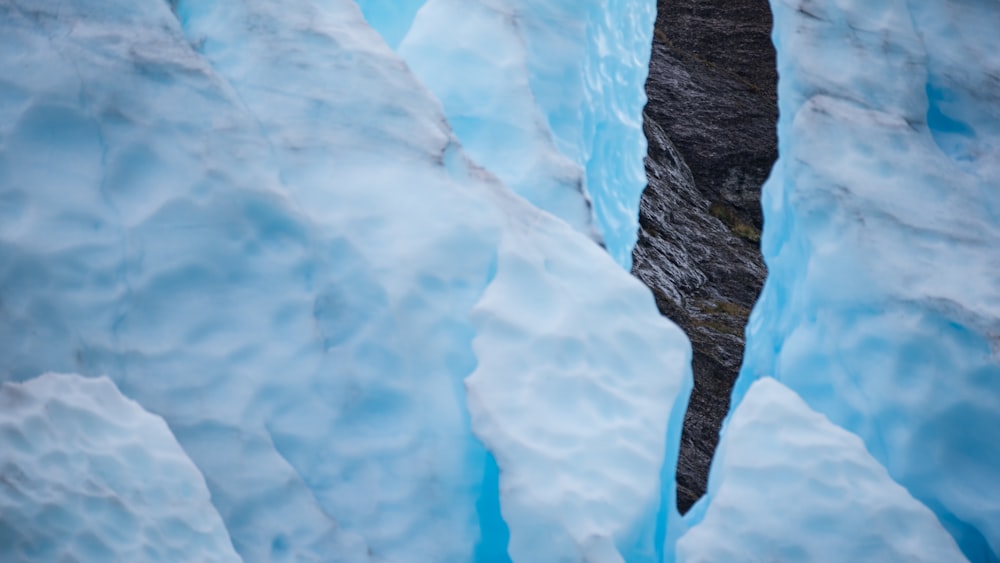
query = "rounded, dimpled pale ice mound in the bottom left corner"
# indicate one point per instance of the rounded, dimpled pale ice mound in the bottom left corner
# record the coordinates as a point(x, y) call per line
point(88, 475)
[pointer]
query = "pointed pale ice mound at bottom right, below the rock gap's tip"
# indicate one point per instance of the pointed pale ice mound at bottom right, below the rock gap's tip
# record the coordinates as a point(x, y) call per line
point(788, 485)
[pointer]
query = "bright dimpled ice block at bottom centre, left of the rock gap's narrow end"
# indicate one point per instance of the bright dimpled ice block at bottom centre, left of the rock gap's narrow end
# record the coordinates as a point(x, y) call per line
point(533, 360)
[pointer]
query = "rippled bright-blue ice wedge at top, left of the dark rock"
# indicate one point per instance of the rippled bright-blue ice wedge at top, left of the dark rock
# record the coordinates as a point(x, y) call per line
point(548, 96)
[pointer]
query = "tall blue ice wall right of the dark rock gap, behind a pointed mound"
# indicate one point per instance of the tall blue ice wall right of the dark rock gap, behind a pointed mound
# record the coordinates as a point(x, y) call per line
point(882, 307)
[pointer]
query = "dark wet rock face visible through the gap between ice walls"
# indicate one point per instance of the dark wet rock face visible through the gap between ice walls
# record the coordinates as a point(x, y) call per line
point(710, 122)
